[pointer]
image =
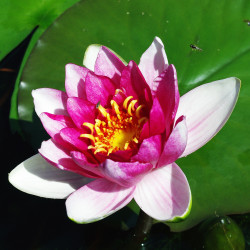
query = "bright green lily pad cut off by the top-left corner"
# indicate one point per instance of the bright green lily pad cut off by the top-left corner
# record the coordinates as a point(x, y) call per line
point(19, 18)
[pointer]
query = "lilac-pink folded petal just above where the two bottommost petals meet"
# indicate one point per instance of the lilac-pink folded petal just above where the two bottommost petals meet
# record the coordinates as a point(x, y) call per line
point(125, 173)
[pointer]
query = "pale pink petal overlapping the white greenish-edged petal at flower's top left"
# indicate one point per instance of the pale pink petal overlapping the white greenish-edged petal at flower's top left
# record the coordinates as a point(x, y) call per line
point(108, 64)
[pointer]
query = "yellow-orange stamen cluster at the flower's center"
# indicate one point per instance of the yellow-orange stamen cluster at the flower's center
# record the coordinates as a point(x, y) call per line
point(116, 128)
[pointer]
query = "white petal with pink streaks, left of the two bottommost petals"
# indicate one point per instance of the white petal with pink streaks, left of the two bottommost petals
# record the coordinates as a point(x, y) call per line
point(97, 200)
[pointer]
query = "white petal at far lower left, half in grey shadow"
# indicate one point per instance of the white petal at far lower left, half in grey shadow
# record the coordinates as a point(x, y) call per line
point(36, 176)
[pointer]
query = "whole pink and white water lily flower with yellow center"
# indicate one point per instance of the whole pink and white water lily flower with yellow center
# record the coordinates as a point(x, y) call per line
point(116, 133)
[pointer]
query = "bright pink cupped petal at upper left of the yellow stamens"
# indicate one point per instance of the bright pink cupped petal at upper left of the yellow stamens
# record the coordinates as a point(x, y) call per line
point(99, 89)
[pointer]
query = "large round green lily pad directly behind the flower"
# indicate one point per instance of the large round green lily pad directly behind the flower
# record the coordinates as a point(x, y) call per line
point(218, 173)
